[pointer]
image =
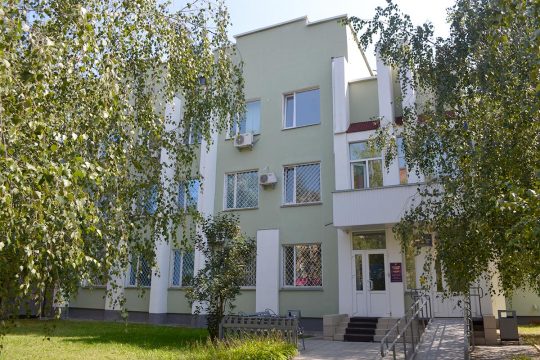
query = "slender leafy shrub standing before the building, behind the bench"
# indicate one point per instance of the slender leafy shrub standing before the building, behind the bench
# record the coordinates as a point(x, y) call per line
point(226, 252)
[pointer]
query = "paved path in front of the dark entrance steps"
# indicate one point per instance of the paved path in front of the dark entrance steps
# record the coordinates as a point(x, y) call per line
point(318, 349)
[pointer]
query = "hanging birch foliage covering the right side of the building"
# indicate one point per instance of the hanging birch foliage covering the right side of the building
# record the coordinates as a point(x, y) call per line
point(475, 135)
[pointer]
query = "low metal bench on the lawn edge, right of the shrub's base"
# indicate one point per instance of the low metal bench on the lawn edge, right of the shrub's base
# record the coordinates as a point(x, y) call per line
point(259, 325)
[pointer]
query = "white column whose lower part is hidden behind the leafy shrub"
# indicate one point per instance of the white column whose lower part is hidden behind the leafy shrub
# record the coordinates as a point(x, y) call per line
point(206, 202)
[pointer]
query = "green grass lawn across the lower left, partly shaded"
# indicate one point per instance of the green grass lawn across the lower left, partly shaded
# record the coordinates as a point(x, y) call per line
point(91, 340)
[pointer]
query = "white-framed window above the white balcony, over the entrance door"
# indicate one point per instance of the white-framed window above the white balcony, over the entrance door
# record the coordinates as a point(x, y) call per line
point(366, 166)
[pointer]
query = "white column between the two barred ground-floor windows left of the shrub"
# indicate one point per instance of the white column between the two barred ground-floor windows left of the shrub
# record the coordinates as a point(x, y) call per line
point(160, 273)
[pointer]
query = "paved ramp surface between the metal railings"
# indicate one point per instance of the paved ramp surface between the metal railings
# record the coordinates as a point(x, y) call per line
point(444, 339)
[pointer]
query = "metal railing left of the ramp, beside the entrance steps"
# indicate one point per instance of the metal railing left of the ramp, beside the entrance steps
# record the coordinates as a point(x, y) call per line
point(408, 330)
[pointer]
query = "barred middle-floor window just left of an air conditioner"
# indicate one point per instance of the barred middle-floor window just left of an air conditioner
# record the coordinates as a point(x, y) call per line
point(242, 190)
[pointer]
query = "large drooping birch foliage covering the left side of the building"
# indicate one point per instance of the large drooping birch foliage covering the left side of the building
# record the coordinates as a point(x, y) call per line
point(83, 88)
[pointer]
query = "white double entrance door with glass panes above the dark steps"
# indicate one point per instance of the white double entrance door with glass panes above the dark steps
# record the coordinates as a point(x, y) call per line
point(370, 283)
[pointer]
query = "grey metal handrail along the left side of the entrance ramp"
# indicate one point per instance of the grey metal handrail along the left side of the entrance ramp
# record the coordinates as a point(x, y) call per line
point(421, 305)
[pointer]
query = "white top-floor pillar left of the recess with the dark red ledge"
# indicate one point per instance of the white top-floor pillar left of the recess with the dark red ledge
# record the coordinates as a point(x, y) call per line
point(340, 95)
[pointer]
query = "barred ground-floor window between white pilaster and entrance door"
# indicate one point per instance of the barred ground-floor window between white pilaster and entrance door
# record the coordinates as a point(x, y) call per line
point(302, 265)
